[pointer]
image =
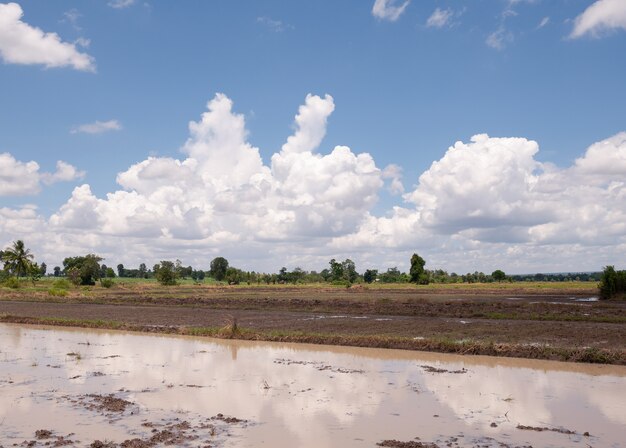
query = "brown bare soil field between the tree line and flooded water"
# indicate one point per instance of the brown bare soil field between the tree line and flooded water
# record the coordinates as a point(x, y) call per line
point(517, 321)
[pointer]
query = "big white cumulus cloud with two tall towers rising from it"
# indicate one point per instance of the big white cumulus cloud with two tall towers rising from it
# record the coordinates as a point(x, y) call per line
point(224, 191)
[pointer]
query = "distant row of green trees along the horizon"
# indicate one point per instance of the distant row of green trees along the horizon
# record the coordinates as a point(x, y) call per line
point(87, 270)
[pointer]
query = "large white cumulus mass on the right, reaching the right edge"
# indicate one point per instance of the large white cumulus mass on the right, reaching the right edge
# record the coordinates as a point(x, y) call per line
point(491, 198)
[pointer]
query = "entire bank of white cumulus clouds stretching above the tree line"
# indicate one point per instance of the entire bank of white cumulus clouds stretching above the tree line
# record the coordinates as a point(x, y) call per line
point(487, 203)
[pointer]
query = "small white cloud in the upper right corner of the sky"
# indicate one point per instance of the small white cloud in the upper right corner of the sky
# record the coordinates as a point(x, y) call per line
point(602, 16)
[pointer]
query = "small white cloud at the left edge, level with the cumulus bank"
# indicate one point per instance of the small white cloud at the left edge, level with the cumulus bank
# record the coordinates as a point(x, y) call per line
point(24, 179)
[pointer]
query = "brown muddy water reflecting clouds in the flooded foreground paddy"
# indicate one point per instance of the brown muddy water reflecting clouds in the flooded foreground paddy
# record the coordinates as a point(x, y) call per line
point(294, 395)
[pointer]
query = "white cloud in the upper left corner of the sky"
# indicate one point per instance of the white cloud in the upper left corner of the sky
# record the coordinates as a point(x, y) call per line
point(21, 43)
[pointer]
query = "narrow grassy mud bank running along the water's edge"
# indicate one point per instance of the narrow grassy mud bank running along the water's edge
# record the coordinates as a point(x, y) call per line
point(482, 343)
